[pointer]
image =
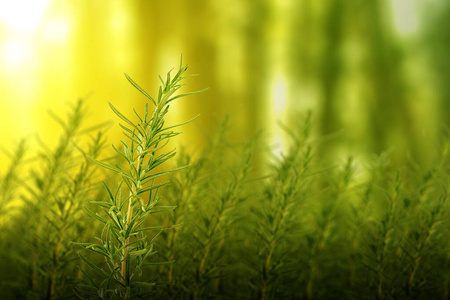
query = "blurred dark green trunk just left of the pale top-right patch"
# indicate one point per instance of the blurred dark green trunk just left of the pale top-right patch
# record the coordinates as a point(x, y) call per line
point(388, 111)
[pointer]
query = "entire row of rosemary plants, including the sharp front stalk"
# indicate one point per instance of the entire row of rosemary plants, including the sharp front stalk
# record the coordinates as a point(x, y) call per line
point(252, 225)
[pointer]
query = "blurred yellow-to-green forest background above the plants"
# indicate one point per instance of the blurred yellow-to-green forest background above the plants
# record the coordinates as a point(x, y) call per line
point(373, 72)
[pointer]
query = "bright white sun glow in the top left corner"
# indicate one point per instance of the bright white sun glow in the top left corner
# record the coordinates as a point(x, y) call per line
point(22, 15)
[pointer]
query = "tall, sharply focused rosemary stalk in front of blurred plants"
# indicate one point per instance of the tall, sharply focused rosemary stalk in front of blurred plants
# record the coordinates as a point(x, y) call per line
point(124, 243)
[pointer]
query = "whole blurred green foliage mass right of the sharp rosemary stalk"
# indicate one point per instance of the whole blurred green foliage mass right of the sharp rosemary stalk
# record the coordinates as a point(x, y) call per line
point(305, 230)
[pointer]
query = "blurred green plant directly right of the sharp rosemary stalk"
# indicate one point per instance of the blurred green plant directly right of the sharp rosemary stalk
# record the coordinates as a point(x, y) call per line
point(187, 190)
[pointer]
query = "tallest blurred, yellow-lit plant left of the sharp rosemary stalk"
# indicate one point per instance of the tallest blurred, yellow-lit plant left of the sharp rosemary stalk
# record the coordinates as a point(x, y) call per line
point(49, 218)
